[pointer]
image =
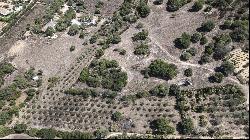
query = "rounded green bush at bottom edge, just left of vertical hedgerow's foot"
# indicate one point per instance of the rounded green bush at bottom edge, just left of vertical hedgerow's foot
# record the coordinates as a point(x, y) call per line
point(162, 126)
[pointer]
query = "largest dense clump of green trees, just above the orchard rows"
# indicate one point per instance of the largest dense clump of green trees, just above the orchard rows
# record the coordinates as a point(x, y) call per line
point(104, 73)
